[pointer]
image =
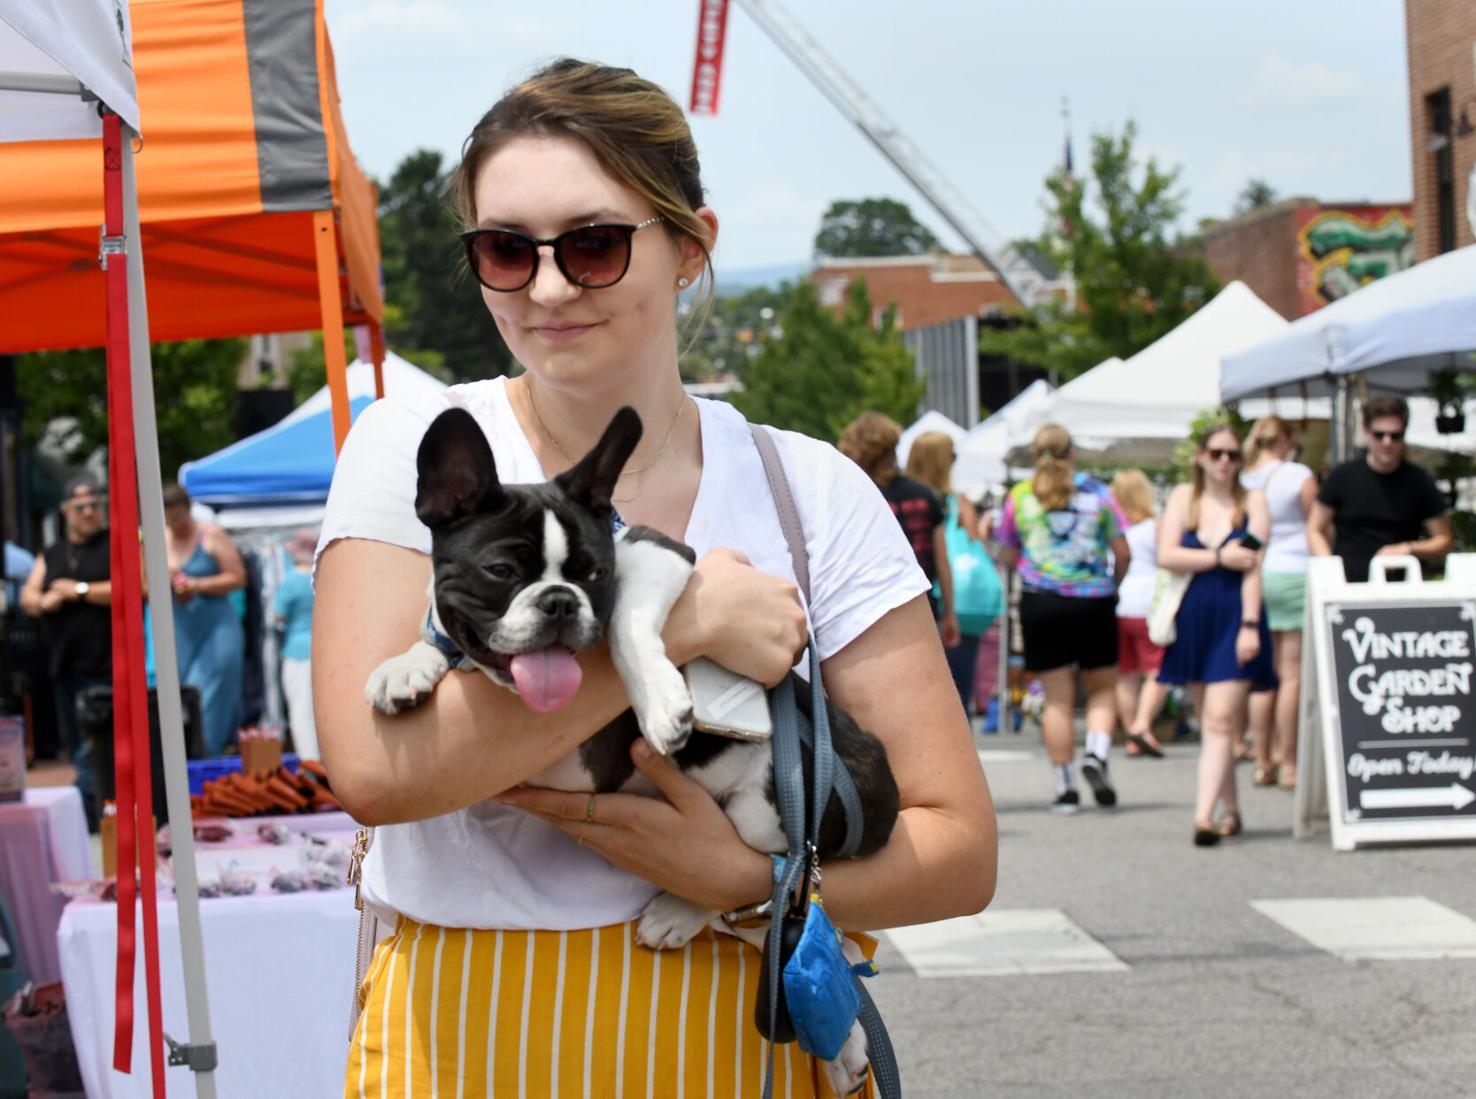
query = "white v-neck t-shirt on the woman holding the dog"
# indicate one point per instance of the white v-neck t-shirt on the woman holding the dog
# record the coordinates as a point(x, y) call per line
point(497, 867)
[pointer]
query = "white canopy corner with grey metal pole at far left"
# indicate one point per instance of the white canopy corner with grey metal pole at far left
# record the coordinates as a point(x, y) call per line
point(58, 64)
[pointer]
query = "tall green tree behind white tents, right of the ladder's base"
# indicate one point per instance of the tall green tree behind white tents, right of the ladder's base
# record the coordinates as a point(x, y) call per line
point(1134, 282)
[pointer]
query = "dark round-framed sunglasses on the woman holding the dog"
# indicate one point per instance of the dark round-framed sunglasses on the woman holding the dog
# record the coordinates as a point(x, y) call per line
point(591, 257)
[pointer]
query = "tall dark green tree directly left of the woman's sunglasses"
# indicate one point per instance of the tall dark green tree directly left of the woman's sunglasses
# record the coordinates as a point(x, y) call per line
point(433, 303)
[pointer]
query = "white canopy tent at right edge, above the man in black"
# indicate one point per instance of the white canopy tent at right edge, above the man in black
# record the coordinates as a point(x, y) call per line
point(1393, 333)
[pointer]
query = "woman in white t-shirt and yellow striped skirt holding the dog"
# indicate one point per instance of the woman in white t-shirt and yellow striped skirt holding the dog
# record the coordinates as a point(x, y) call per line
point(514, 965)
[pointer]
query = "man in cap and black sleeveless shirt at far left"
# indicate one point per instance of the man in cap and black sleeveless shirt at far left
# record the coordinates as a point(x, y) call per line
point(70, 592)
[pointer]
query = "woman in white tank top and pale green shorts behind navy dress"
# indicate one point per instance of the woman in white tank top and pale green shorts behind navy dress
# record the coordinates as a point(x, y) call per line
point(1291, 490)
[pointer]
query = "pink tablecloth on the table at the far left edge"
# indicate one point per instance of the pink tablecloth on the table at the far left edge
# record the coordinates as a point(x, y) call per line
point(44, 840)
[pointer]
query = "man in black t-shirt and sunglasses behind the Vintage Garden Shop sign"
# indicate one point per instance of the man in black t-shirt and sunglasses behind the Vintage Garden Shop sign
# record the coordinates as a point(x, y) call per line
point(1379, 504)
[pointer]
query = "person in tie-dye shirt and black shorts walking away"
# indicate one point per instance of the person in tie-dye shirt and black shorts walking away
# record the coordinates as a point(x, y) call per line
point(1065, 535)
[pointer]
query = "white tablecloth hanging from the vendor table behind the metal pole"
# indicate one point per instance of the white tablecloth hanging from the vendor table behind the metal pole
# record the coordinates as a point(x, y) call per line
point(280, 971)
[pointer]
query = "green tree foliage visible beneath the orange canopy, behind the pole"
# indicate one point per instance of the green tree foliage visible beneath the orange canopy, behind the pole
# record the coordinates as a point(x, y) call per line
point(194, 387)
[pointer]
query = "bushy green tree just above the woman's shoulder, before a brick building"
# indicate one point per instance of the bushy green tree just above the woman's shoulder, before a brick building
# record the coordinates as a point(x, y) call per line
point(821, 371)
